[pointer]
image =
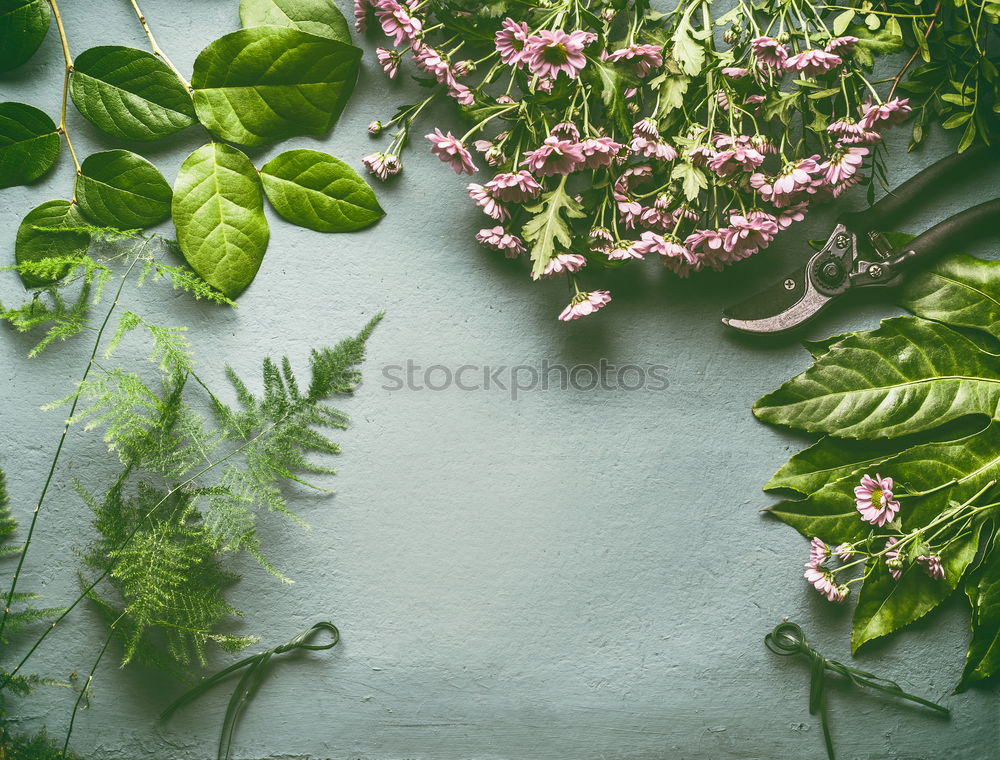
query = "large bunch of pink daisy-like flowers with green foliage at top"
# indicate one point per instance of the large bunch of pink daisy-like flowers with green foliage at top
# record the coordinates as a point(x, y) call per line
point(608, 146)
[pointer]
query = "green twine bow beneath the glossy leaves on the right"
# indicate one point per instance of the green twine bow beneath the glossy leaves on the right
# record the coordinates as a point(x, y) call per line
point(788, 639)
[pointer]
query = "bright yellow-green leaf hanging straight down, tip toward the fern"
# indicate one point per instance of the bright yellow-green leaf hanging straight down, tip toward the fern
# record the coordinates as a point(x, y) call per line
point(218, 209)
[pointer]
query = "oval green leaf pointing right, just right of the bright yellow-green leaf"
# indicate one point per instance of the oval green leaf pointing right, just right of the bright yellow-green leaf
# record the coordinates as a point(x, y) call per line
point(318, 191)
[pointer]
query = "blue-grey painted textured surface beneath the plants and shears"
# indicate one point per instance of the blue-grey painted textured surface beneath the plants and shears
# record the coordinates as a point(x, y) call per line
point(571, 574)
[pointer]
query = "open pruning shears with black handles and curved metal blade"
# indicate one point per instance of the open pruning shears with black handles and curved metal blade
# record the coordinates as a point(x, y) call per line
point(857, 256)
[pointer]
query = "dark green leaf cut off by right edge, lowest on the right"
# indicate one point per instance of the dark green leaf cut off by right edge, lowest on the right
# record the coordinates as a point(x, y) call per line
point(983, 590)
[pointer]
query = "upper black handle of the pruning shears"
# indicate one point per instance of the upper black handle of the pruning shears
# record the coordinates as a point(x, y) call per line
point(920, 188)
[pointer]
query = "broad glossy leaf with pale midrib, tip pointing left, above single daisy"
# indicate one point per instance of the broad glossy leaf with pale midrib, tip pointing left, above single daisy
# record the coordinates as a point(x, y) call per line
point(907, 376)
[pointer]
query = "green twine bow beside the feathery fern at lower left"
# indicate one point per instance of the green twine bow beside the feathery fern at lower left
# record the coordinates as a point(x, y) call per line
point(250, 682)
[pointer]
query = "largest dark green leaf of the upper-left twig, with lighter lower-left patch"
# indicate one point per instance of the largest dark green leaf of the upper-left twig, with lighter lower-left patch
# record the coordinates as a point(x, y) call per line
point(268, 83)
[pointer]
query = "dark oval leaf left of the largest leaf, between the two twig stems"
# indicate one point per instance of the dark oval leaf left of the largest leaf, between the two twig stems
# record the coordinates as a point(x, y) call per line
point(130, 94)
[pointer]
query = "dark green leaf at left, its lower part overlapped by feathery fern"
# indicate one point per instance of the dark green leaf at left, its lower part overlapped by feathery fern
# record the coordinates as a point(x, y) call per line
point(39, 238)
